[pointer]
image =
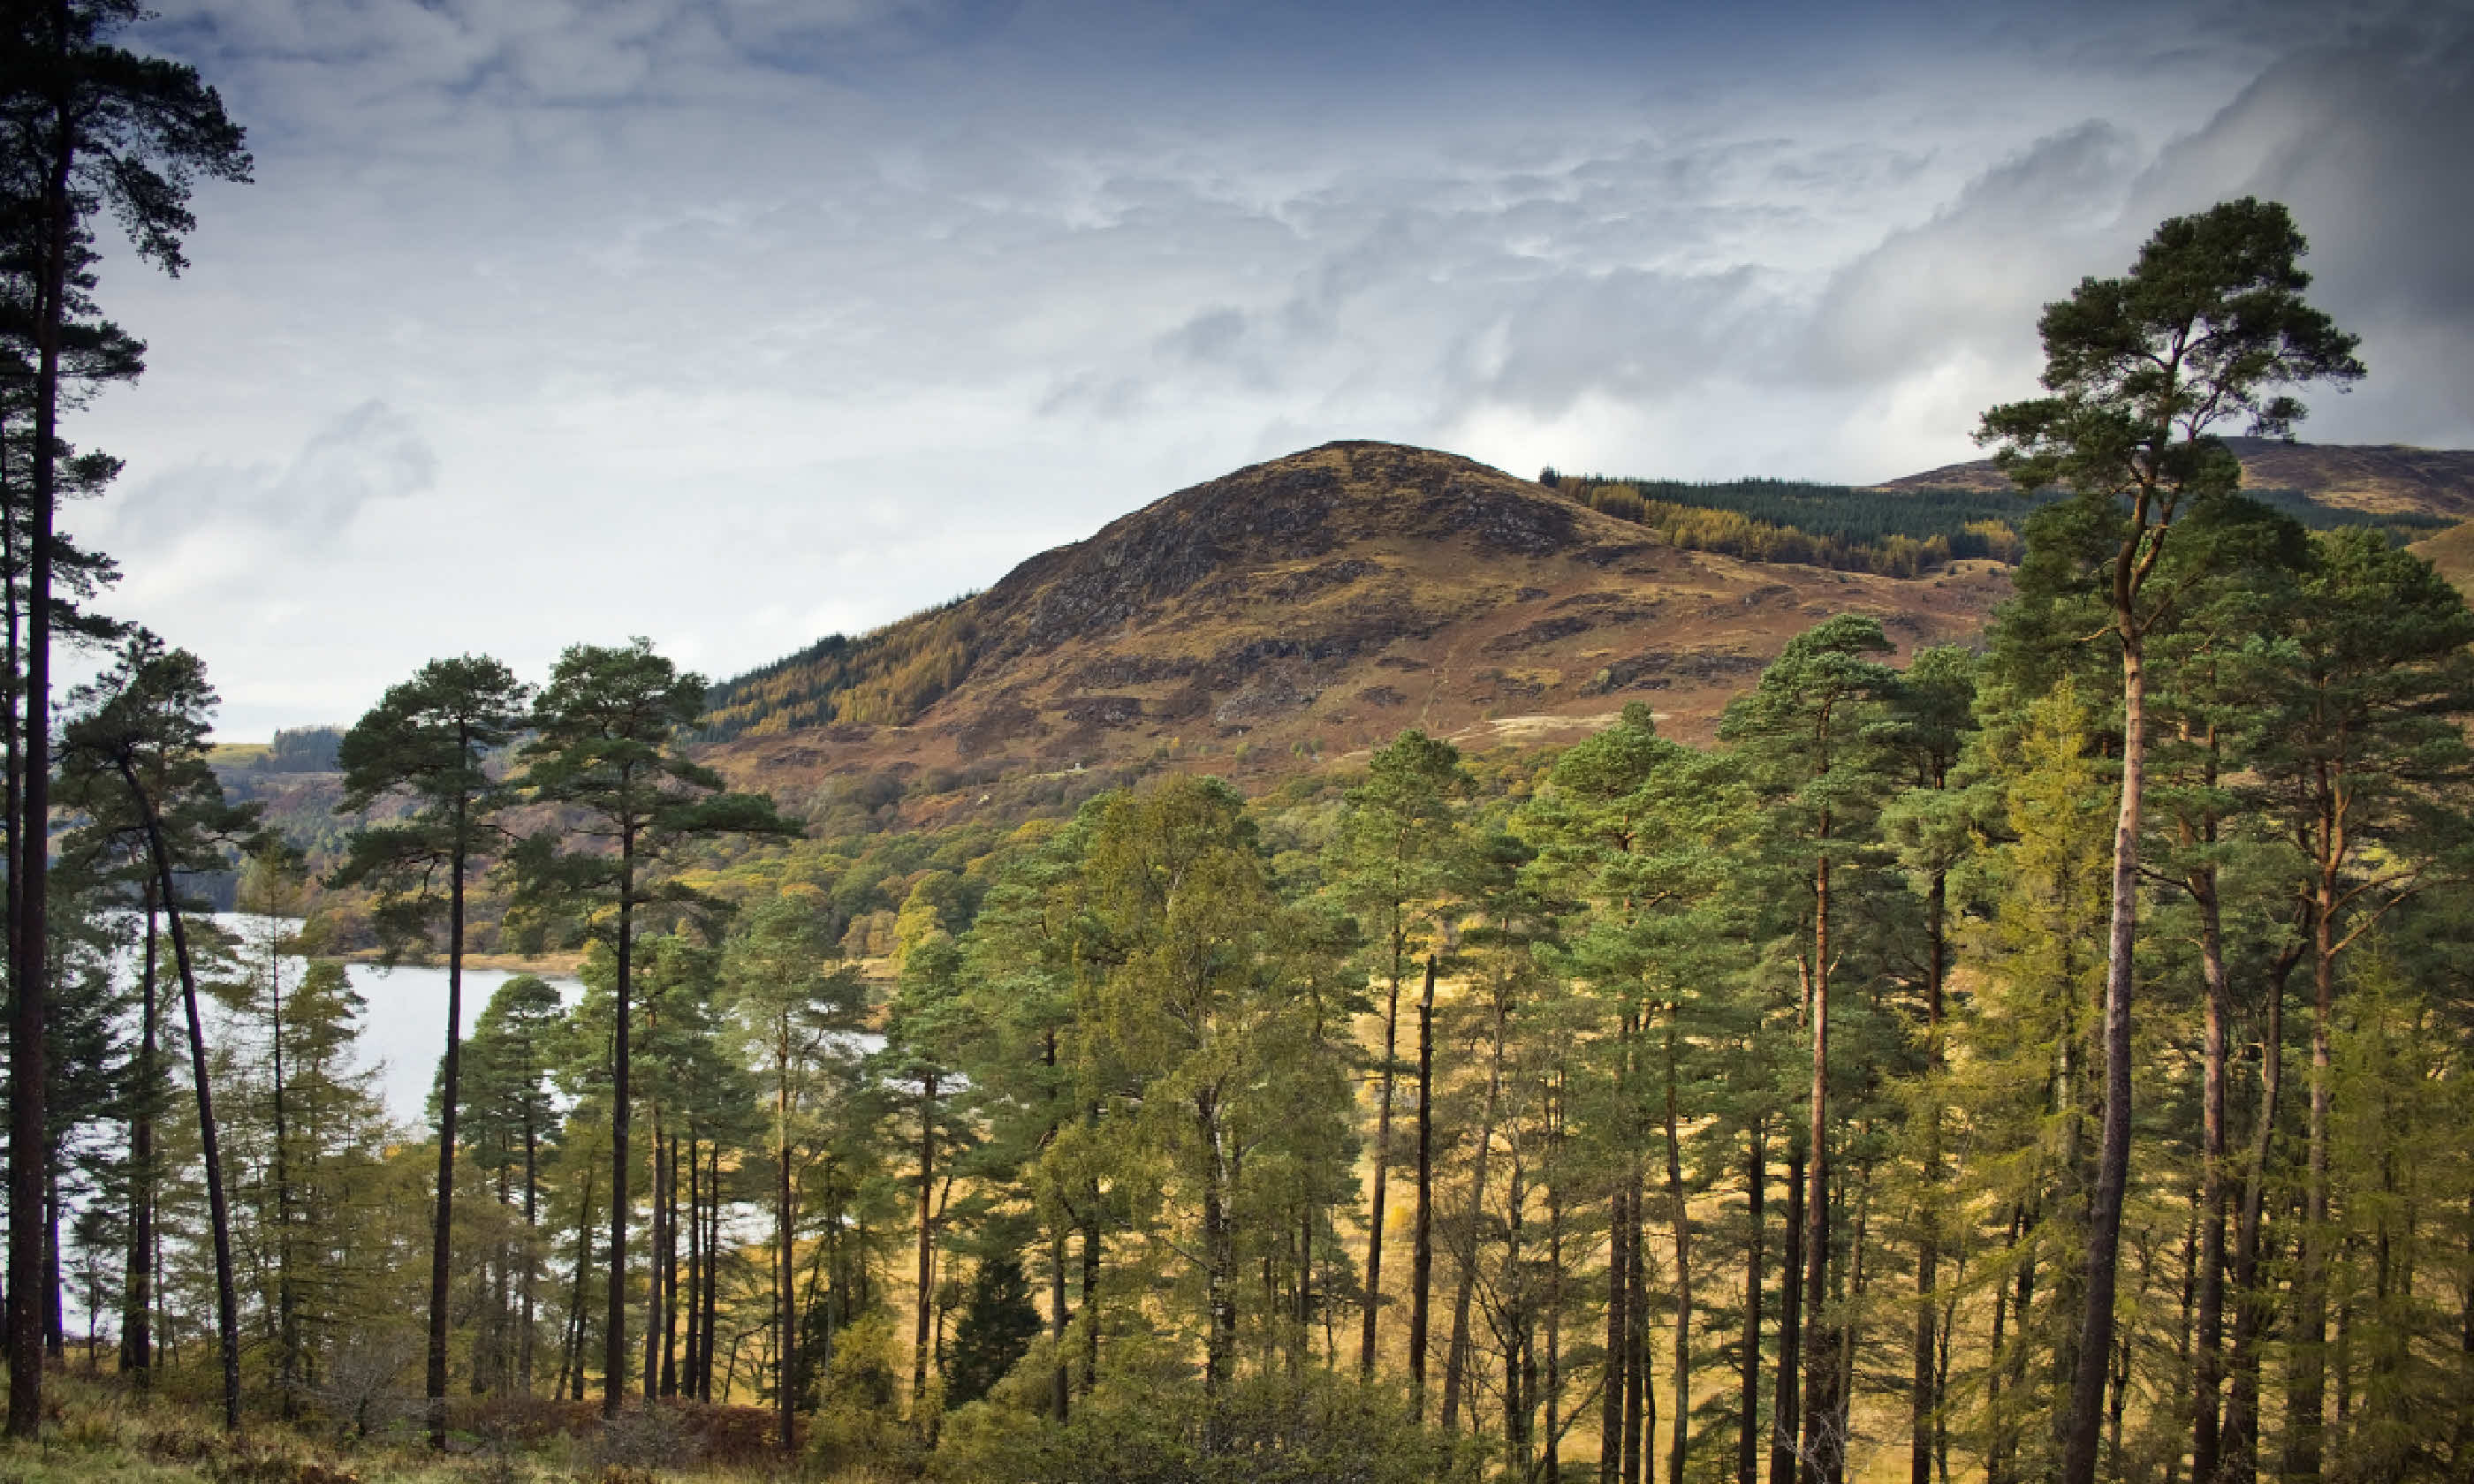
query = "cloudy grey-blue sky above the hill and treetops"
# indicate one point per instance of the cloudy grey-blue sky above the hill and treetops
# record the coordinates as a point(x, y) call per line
point(741, 323)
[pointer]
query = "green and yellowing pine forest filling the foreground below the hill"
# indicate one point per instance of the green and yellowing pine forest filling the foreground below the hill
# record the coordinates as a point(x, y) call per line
point(2030, 1060)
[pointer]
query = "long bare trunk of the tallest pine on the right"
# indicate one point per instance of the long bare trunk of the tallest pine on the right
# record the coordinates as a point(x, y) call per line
point(2114, 1161)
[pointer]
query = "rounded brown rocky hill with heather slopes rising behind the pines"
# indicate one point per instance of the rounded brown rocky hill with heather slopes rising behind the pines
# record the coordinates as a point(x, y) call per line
point(1300, 610)
